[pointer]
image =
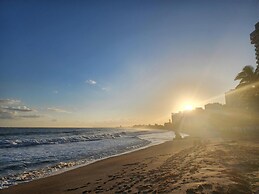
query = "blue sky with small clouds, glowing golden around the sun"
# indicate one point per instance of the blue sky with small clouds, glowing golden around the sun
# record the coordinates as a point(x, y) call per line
point(118, 63)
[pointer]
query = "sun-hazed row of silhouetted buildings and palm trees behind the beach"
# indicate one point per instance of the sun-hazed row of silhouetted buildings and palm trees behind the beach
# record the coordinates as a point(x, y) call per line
point(238, 117)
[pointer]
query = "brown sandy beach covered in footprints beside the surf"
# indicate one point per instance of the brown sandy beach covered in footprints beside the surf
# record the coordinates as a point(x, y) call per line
point(180, 166)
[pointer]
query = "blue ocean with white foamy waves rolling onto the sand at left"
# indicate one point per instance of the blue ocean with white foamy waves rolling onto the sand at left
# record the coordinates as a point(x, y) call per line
point(32, 153)
